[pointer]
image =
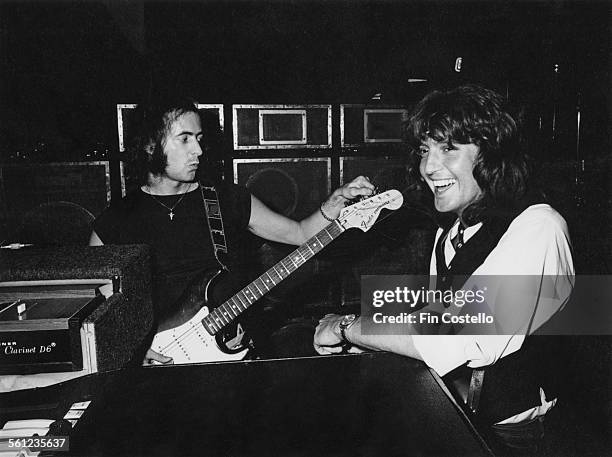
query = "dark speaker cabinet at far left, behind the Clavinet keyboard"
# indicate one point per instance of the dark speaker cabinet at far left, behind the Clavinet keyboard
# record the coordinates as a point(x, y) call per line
point(52, 203)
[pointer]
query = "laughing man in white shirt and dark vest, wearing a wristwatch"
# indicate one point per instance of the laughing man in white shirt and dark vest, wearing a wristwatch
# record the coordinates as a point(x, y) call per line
point(470, 154)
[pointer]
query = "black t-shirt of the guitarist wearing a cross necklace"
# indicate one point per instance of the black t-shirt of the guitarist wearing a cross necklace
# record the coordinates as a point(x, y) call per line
point(181, 247)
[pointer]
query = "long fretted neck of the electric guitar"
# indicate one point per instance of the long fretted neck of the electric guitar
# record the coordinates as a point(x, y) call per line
point(227, 312)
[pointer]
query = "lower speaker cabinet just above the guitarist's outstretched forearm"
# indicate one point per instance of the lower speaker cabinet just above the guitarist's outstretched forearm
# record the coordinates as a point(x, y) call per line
point(293, 187)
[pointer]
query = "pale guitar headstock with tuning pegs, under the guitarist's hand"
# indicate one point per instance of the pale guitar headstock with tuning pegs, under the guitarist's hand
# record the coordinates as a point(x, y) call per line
point(364, 213)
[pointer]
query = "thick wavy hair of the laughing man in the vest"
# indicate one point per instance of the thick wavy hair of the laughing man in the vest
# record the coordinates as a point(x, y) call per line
point(473, 114)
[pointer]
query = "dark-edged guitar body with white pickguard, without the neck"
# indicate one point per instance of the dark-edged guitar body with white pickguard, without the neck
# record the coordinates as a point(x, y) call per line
point(182, 336)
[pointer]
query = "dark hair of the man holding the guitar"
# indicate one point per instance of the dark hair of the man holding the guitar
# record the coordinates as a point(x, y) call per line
point(153, 123)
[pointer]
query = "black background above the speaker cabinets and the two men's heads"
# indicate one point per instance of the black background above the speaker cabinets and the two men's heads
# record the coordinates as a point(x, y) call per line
point(65, 65)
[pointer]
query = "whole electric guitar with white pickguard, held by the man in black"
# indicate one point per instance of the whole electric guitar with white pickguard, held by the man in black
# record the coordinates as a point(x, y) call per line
point(194, 333)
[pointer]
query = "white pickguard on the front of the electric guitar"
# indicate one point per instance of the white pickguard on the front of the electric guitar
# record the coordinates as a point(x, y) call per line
point(191, 343)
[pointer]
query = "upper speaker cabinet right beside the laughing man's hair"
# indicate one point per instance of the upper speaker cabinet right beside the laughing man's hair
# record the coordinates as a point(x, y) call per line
point(364, 125)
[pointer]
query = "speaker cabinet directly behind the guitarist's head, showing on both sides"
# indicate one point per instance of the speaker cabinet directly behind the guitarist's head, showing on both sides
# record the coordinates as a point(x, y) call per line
point(211, 115)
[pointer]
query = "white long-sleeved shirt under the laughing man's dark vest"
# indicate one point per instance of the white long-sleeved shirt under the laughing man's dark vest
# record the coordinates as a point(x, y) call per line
point(536, 244)
